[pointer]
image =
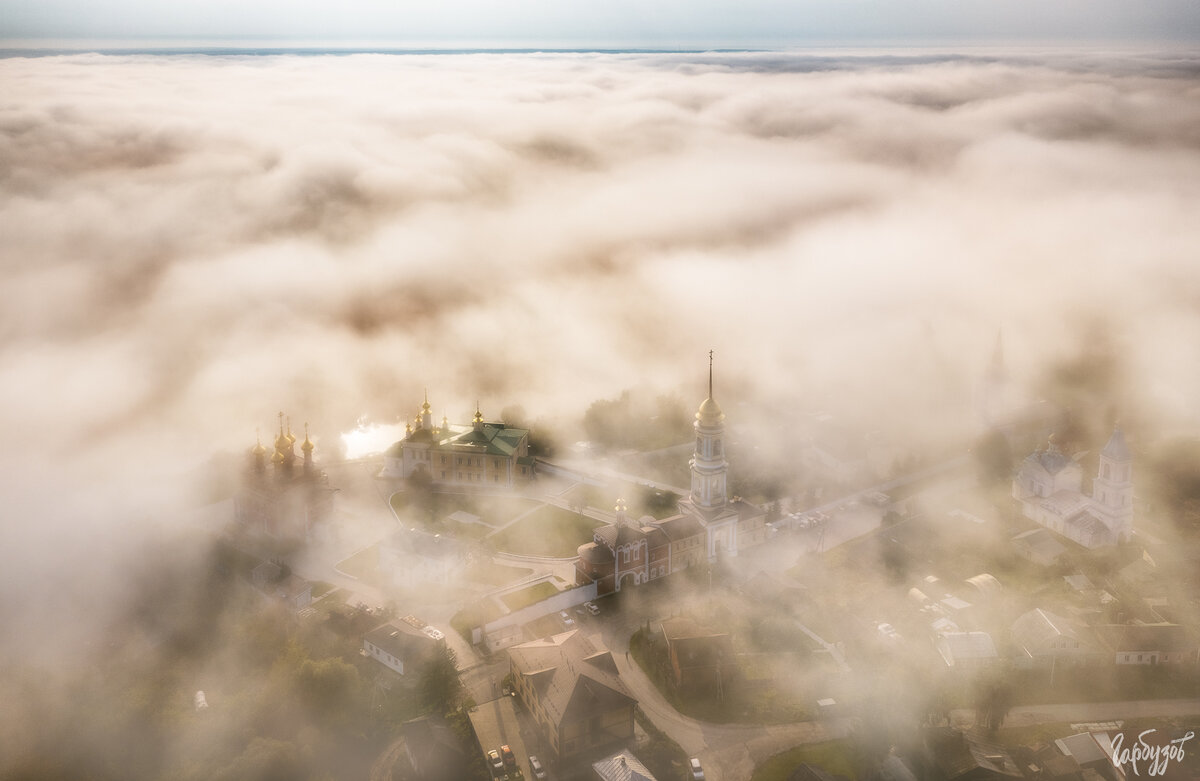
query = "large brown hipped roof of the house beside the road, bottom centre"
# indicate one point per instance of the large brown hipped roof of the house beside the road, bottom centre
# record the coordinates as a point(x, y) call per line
point(571, 676)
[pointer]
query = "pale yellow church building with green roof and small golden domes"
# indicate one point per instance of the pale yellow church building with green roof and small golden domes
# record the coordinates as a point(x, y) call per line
point(483, 455)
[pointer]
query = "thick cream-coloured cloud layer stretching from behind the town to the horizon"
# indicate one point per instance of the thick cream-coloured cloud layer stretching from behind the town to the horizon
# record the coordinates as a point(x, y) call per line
point(194, 243)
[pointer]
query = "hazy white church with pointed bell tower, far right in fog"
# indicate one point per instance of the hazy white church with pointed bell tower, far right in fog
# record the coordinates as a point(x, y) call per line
point(1049, 486)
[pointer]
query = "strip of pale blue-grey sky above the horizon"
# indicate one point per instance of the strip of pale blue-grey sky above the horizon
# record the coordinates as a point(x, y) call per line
point(665, 23)
